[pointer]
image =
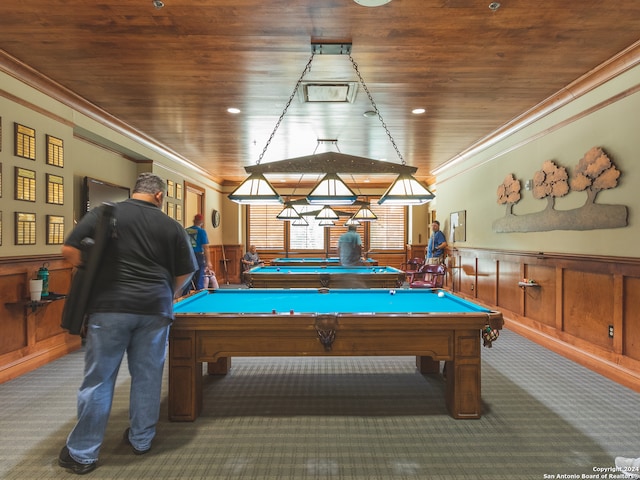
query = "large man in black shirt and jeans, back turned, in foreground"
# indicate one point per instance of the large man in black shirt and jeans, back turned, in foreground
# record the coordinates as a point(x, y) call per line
point(149, 260)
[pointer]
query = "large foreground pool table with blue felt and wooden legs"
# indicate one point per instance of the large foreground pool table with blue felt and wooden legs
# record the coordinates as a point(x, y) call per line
point(213, 326)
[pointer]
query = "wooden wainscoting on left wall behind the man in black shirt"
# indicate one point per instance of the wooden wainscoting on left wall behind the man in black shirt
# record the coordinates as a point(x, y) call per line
point(31, 337)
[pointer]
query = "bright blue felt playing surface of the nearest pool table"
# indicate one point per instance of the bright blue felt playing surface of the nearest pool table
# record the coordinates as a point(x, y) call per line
point(365, 301)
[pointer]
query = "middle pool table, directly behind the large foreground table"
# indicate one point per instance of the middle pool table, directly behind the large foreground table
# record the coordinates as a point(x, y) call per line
point(323, 276)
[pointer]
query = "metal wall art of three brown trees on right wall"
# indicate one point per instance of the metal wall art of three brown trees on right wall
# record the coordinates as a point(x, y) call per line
point(595, 172)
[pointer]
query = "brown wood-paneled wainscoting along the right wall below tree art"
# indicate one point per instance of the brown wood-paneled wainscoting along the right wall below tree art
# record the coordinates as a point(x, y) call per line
point(583, 307)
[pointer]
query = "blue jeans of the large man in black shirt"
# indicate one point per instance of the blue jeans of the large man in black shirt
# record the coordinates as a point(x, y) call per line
point(109, 336)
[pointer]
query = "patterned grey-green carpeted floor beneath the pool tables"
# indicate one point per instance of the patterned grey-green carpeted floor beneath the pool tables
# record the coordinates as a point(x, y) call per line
point(360, 418)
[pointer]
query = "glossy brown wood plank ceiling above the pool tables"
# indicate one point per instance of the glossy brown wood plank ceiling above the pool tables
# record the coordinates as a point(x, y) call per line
point(172, 72)
